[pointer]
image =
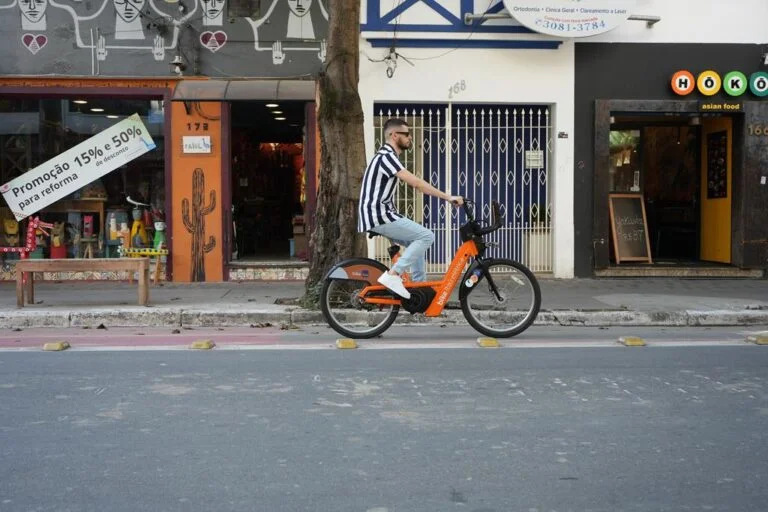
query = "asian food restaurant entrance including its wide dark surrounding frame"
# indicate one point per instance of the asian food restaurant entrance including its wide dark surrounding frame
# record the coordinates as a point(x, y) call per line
point(687, 166)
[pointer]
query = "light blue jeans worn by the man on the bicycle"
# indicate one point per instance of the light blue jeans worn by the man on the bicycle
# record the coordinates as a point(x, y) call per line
point(417, 238)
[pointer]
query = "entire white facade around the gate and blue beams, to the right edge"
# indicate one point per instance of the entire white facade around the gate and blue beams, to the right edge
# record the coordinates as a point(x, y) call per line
point(539, 76)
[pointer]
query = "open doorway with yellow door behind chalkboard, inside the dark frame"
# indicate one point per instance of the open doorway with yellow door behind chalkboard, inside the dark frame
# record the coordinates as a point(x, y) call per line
point(681, 165)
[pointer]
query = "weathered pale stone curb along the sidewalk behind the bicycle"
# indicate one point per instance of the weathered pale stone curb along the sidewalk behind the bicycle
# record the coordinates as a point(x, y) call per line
point(235, 316)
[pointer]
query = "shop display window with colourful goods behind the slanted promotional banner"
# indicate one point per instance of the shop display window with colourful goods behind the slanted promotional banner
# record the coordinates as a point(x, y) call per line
point(32, 131)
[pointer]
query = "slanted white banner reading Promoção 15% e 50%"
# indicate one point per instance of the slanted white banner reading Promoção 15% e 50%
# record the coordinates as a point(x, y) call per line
point(77, 167)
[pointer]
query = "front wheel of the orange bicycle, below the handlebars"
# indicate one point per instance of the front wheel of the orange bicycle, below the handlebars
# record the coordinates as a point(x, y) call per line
point(500, 298)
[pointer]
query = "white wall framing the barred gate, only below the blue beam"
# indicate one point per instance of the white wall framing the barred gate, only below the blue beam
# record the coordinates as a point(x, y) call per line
point(497, 76)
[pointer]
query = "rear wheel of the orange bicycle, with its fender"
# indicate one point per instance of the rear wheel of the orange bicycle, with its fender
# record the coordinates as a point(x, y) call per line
point(346, 314)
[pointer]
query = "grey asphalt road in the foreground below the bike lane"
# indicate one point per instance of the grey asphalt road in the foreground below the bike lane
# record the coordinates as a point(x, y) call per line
point(528, 429)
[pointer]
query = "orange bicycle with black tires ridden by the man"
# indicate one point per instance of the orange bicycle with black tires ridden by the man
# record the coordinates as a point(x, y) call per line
point(499, 297)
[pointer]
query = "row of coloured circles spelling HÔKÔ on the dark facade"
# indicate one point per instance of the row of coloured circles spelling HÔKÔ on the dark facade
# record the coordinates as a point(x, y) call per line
point(709, 83)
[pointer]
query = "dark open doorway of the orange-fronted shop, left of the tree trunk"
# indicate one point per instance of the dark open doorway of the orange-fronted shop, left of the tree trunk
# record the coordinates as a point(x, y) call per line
point(268, 180)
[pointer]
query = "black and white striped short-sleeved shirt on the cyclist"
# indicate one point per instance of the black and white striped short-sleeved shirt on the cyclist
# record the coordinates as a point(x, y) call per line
point(379, 183)
